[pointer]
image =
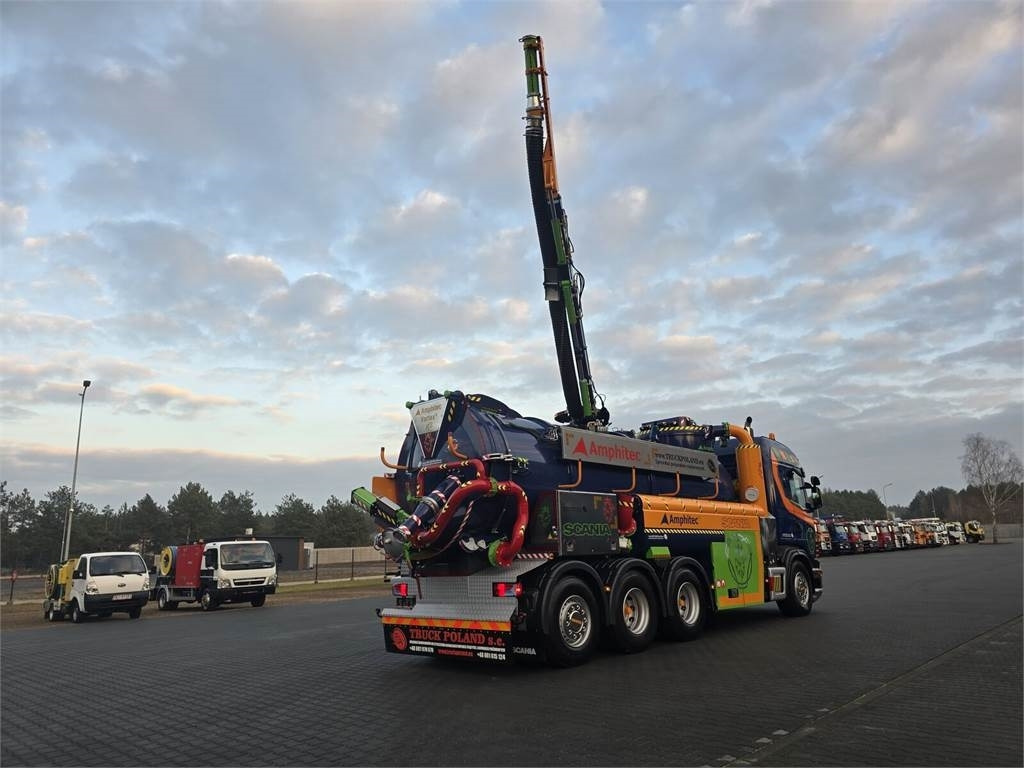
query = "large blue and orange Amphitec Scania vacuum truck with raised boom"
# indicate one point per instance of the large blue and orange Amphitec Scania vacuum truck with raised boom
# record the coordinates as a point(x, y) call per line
point(519, 538)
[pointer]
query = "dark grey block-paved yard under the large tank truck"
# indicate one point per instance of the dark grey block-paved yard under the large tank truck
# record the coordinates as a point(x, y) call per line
point(911, 659)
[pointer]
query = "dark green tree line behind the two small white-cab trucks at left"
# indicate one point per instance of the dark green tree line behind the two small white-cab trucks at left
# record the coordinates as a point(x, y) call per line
point(31, 532)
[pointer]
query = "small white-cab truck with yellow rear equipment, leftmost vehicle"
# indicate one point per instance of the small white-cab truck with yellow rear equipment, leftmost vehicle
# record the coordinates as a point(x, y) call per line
point(97, 584)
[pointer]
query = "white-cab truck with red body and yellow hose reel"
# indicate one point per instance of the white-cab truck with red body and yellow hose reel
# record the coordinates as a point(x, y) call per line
point(216, 573)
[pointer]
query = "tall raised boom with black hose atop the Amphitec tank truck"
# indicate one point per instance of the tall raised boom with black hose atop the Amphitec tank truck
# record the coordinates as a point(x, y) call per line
point(563, 282)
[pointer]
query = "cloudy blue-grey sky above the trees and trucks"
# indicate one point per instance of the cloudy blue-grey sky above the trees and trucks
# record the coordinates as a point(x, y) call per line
point(261, 228)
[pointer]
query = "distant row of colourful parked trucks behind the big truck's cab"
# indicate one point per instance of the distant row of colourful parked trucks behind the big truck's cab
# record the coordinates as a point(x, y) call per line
point(837, 536)
